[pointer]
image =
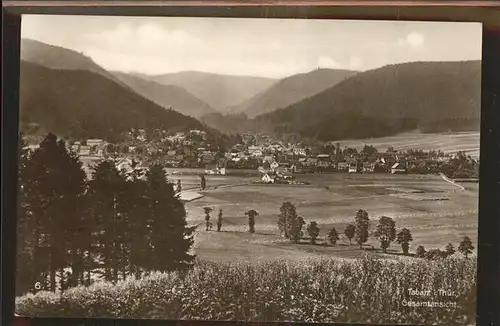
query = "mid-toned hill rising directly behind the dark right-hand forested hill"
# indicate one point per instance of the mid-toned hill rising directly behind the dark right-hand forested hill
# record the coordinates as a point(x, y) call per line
point(291, 90)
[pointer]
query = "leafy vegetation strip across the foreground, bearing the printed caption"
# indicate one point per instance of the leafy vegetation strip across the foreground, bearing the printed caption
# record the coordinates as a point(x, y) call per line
point(315, 290)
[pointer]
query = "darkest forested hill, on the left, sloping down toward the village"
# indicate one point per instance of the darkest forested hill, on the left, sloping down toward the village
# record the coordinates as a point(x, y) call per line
point(83, 104)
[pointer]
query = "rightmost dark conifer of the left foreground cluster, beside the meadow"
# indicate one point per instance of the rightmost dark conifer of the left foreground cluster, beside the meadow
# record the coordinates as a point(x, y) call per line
point(171, 238)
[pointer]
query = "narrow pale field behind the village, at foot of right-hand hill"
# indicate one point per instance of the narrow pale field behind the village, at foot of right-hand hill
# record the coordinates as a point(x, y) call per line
point(448, 143)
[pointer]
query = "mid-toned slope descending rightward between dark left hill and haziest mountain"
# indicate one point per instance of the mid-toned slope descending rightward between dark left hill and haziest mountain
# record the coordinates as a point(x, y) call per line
point(167, 96)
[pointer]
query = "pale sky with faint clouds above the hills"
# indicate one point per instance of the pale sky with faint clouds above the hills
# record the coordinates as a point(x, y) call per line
point(273, 48)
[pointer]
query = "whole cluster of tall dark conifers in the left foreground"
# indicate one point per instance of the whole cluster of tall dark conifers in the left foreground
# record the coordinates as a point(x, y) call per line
point(116, 224)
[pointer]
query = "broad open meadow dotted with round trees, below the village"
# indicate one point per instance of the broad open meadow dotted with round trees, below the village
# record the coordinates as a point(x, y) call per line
point(437, 212)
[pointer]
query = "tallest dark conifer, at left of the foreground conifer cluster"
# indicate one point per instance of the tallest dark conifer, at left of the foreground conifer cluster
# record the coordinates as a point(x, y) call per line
point(53, 185)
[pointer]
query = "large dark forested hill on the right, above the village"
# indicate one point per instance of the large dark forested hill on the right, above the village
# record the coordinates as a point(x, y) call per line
point(430, 96)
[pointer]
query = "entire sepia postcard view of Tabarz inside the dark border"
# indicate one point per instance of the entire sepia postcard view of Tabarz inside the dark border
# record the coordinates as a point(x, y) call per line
point(243, 169)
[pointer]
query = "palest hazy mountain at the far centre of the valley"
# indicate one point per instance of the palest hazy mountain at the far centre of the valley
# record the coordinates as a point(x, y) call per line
point(219, 91)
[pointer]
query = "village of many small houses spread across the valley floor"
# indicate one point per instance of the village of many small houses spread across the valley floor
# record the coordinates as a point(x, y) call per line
point(275, 161)
